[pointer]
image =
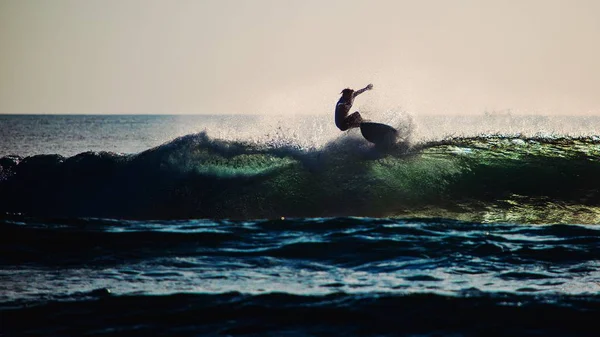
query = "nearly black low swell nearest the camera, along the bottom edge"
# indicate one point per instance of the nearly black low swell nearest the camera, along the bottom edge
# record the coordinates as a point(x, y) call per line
point(472, 313)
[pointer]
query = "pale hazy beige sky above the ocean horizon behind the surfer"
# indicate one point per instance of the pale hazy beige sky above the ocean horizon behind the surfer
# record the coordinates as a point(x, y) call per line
point(294, 57)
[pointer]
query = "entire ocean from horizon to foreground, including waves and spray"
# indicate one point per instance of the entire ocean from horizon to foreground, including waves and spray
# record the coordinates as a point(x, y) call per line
point(283, 226)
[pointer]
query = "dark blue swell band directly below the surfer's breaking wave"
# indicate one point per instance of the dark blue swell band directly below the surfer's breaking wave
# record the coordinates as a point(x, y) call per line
point(341, 241)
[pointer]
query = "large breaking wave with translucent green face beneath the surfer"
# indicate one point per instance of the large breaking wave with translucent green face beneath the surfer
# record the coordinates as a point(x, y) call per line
point(495, 178)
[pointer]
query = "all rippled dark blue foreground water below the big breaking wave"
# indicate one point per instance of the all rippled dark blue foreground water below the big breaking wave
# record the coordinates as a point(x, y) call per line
point(297, 277)
